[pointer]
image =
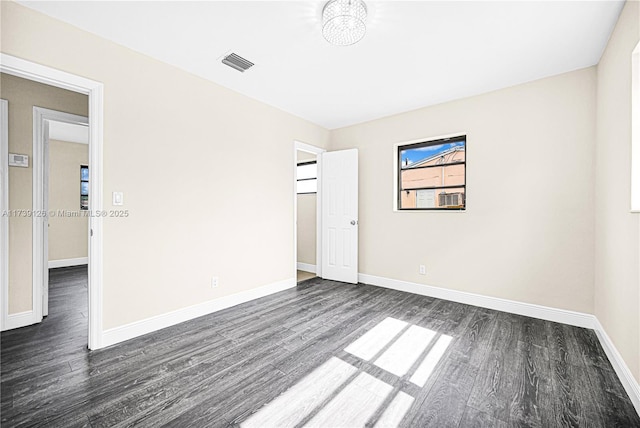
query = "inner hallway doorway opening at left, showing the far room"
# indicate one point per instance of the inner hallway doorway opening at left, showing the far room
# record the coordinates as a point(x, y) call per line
point(63, 148)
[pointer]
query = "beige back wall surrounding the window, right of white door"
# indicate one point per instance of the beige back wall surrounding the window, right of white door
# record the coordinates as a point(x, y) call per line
point(527, 234)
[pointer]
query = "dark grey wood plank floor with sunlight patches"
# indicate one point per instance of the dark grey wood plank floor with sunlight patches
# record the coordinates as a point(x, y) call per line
point(229, 368)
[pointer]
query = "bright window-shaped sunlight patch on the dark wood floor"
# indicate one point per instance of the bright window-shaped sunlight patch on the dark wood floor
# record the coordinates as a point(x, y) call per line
point(337, 394)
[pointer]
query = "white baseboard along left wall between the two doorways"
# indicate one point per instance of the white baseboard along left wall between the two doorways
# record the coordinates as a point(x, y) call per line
point(149, 325)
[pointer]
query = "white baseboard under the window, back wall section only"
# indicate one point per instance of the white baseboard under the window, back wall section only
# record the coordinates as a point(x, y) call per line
point(578, 319)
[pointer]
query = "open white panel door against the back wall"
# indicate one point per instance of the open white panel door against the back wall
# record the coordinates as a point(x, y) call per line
point(339, 186)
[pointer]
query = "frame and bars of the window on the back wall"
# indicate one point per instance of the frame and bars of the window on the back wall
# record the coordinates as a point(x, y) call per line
point(400, 147)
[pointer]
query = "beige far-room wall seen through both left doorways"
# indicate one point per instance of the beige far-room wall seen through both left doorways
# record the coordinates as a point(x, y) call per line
point(68, 236)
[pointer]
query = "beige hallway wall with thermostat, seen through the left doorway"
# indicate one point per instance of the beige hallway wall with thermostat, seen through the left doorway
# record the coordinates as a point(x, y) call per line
point(22, 95)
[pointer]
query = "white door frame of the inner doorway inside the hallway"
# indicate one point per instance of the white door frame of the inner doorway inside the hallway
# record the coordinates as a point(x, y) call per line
point(41, 118)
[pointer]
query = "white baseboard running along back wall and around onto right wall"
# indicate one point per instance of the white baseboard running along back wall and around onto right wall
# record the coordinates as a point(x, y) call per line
point(578, 319)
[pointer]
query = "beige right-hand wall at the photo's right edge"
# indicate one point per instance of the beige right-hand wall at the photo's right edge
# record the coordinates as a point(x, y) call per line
point(617, 279)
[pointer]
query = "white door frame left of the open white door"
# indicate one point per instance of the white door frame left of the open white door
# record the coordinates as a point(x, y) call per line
point(304, 147)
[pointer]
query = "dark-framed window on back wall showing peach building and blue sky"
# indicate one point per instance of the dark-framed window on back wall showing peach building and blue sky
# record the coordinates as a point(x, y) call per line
point(432, 175)
